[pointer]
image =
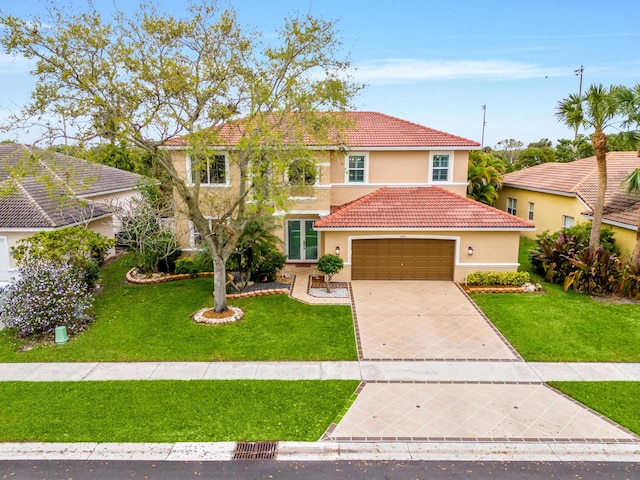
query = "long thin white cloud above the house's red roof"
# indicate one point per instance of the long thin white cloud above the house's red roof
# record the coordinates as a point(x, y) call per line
point(405, 70)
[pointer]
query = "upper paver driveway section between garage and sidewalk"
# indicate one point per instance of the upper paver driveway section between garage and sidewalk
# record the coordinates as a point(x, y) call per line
point(423, 320)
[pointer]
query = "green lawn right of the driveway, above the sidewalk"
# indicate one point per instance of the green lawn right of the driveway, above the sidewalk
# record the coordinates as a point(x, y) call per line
point(564, 326)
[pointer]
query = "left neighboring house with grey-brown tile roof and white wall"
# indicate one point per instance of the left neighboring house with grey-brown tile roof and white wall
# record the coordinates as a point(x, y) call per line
point(66, 191)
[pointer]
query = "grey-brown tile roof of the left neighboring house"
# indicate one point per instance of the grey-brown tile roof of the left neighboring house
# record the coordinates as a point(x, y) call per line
point(53, 201)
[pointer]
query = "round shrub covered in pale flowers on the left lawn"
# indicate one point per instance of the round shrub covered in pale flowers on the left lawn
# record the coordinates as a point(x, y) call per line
point(46, 296)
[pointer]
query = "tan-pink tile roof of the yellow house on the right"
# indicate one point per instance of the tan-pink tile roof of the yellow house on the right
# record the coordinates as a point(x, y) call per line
point(580, 178)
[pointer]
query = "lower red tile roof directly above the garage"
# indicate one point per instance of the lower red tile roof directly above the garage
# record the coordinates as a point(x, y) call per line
point(419, 207)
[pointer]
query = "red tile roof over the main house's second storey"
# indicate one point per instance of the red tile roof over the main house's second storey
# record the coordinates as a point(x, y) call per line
point(369, 129)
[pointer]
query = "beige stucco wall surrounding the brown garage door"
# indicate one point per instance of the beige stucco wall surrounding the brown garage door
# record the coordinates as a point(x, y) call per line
point(492, 250)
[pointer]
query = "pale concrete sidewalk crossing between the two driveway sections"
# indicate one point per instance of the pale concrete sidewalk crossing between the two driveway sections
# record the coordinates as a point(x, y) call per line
point(368, 371)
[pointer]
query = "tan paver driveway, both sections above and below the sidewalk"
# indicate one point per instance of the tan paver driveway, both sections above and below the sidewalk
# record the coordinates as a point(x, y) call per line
point(413, 321)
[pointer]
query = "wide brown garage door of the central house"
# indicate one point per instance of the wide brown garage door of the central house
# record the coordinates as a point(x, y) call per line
point(402, 259)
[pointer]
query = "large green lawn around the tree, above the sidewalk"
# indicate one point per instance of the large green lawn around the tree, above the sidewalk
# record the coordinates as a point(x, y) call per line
point(151, 323)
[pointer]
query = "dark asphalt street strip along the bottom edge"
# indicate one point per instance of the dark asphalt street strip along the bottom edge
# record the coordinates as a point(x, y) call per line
point(254, 470)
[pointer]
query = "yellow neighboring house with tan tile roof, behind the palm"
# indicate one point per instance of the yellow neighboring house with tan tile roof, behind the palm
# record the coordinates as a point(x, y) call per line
point(559, 195)
